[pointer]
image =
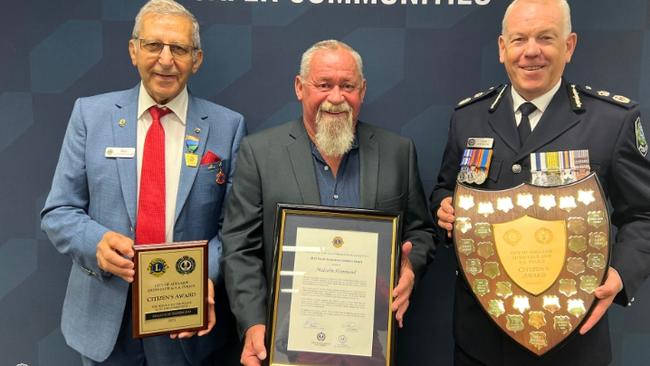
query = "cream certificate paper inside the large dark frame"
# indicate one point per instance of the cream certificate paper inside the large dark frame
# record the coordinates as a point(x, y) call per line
point(333, 293)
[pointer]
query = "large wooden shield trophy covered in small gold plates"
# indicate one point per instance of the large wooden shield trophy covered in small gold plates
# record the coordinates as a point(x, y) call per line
point(533, 268)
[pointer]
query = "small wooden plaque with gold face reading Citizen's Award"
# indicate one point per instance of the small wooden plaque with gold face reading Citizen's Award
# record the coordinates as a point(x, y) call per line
point(170, 293)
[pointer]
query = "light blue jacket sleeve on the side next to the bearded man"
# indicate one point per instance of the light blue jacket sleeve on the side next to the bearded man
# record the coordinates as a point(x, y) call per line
point(216, 243)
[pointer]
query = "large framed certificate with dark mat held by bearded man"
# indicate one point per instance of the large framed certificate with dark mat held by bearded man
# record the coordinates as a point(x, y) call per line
point(334, 271)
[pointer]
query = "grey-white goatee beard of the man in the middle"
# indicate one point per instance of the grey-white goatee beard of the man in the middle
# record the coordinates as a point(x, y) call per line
point(334, 135)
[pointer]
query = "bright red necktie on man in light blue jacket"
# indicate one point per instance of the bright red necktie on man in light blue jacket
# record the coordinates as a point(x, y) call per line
point(150, 223)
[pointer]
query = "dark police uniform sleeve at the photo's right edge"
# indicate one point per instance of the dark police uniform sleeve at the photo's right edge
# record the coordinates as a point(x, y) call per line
point(630, 198)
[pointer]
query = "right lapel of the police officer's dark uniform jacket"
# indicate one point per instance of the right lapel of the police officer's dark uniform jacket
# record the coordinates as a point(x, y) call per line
point(553, 123)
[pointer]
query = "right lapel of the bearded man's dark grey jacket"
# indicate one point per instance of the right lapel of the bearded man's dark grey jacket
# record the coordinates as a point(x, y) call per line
point(369, 161)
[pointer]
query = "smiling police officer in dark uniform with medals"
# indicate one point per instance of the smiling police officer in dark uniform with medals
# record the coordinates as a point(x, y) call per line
point(539, 111)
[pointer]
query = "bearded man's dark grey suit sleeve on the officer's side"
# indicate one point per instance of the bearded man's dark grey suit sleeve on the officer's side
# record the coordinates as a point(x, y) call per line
point(418, 227)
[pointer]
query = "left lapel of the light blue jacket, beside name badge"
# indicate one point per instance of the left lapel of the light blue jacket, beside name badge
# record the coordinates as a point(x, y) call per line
point(125, 136)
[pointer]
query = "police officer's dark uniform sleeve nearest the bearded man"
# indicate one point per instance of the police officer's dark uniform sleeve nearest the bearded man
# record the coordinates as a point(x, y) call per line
point(446, 178)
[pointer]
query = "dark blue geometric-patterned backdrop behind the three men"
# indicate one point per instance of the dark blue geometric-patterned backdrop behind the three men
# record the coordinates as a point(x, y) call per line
point(421, 57)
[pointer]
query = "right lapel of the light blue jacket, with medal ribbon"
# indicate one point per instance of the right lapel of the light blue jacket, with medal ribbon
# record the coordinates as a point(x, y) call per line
point(197, 120)
